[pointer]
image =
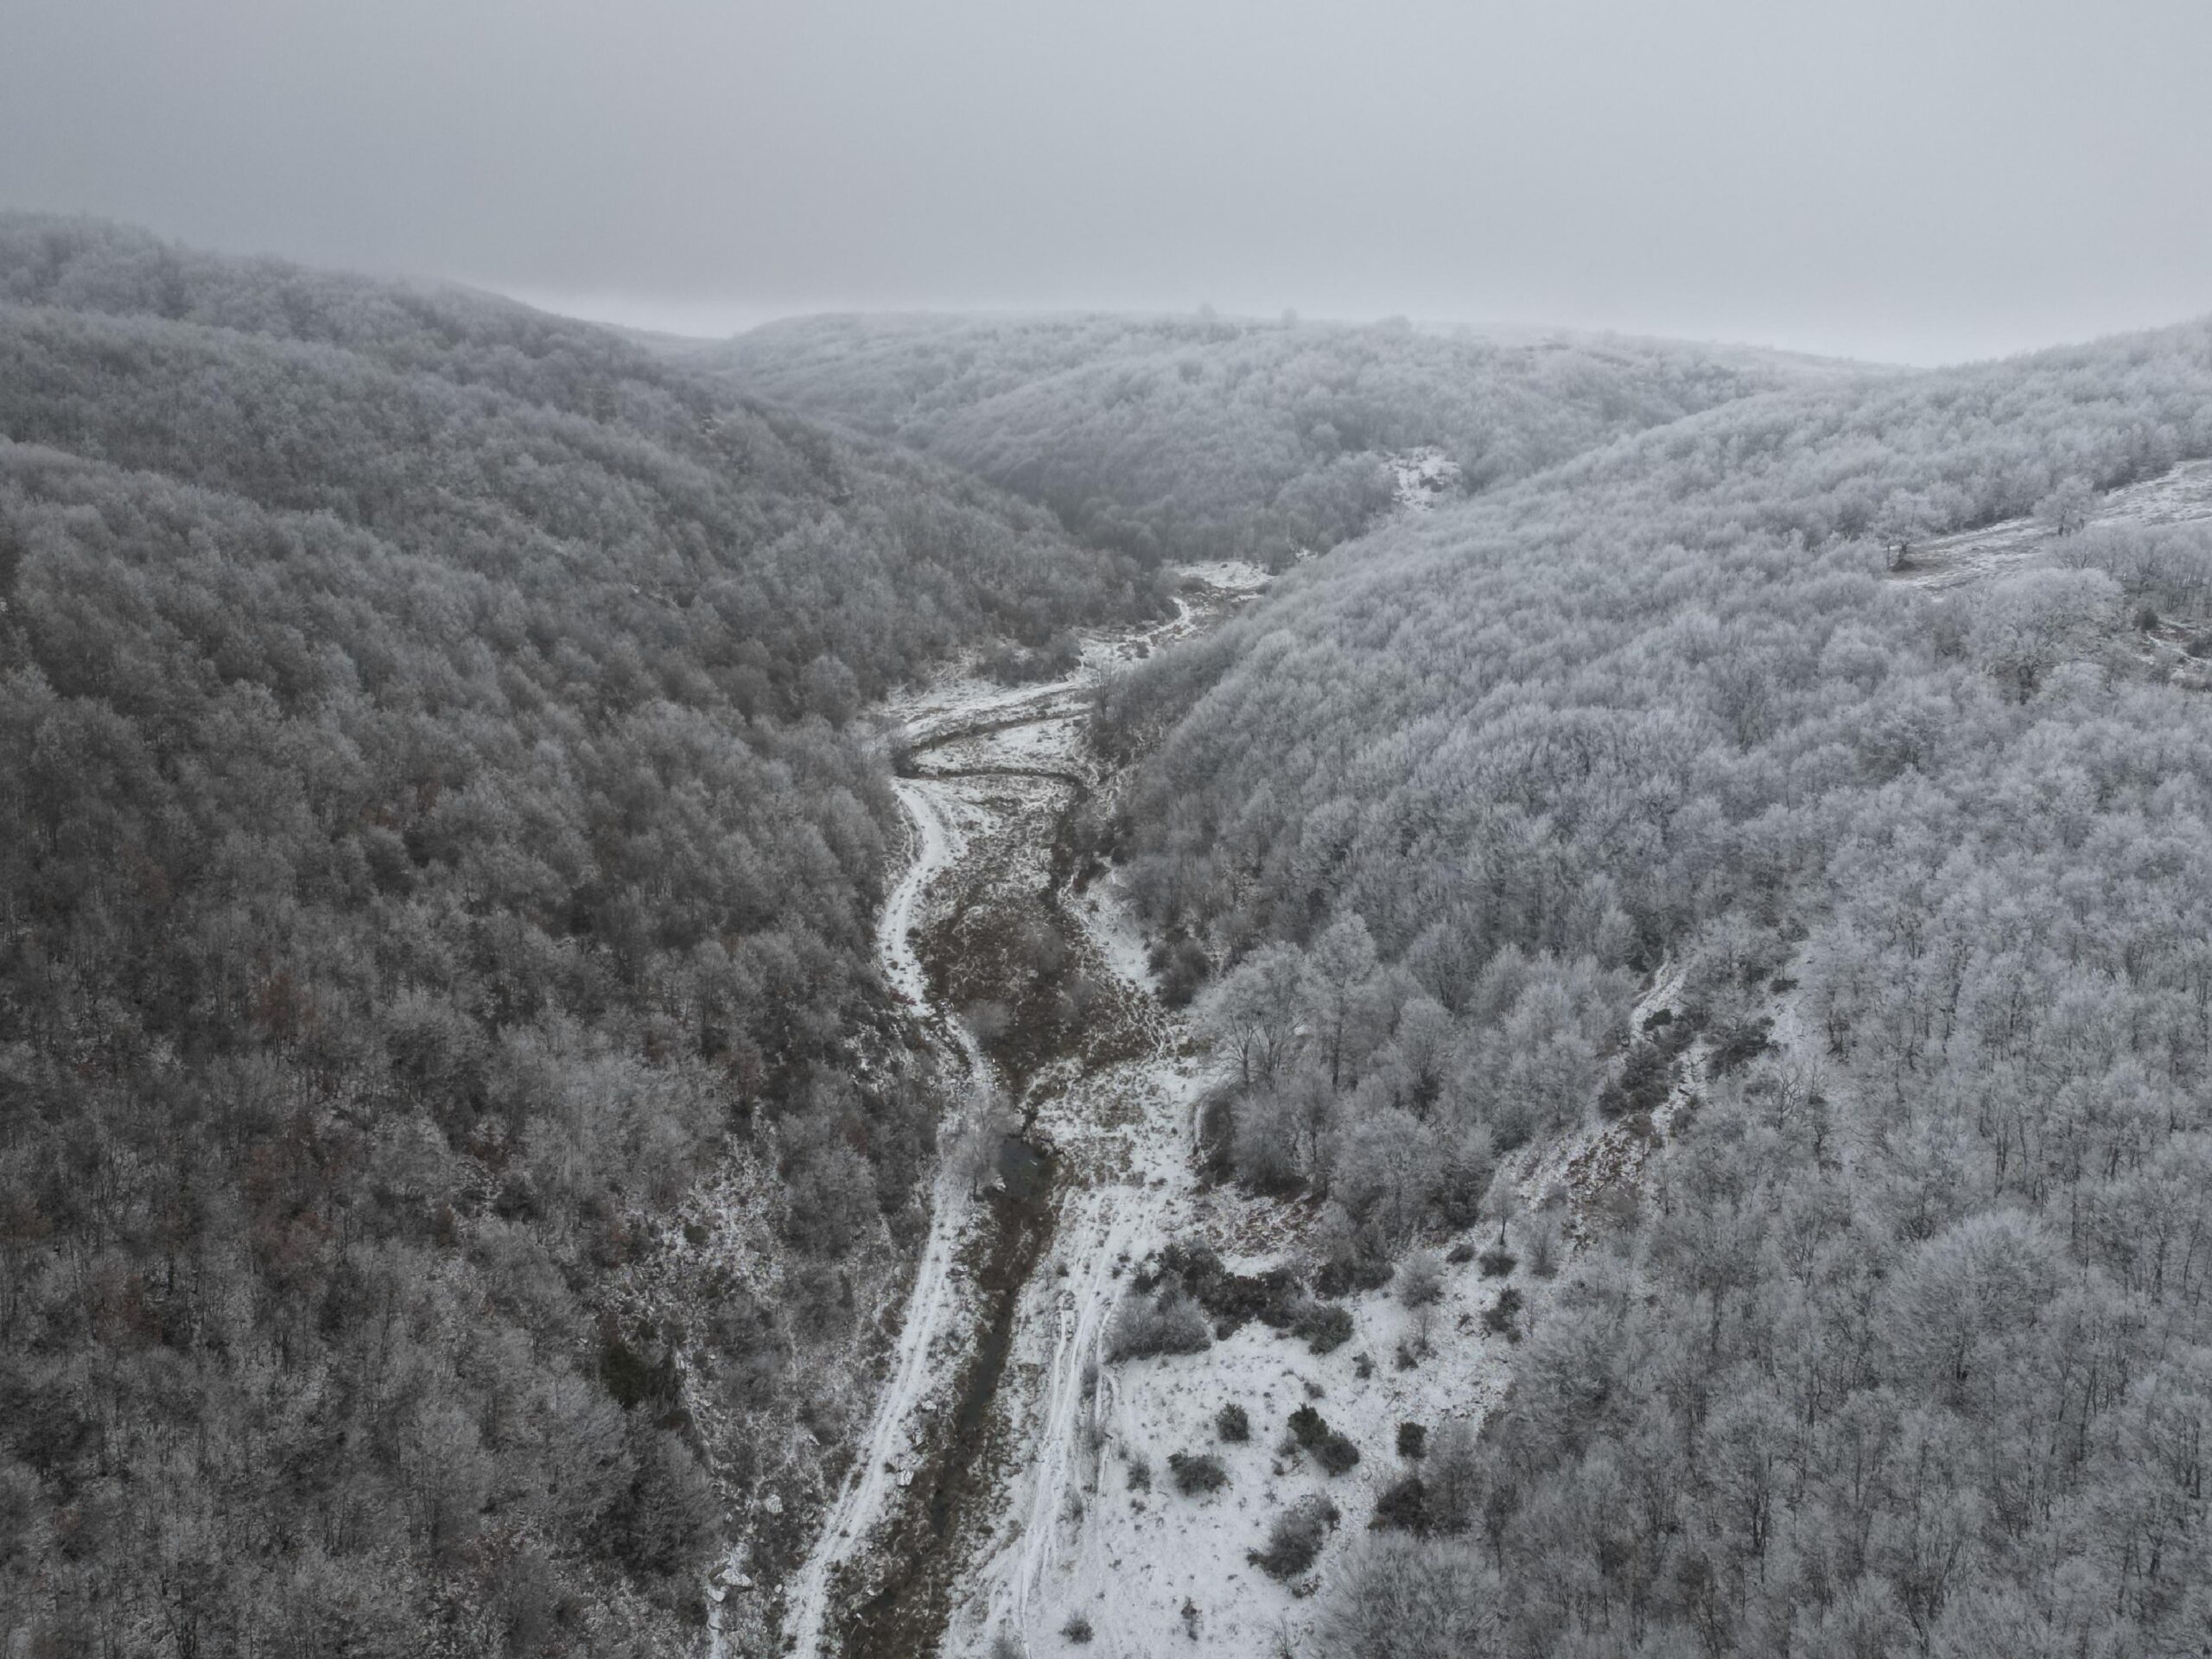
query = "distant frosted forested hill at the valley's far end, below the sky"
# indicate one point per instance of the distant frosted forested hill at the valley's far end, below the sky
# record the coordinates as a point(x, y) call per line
point(1202, 437)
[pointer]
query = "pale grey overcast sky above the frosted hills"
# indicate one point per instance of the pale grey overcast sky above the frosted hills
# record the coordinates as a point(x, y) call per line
point(1912, 180)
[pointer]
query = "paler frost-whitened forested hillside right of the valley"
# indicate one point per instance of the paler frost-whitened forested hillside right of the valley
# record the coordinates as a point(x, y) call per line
point(1908, 1342)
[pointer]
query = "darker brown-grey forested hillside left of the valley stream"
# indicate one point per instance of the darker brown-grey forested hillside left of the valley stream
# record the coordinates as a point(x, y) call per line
point(432, 844)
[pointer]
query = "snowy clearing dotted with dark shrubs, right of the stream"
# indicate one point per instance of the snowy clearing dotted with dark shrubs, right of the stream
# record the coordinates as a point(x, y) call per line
point(1081, 1534)
